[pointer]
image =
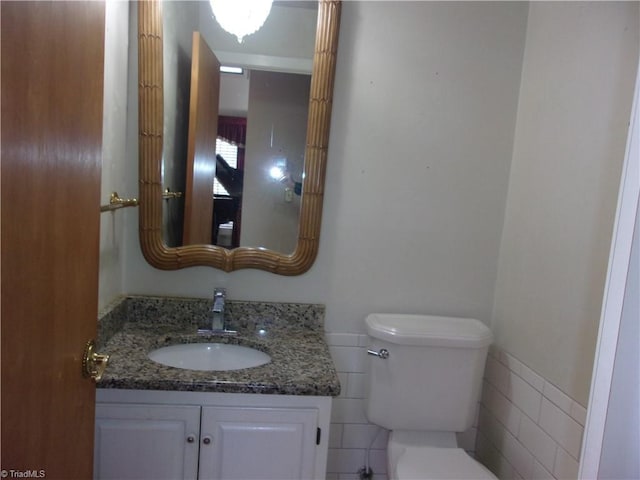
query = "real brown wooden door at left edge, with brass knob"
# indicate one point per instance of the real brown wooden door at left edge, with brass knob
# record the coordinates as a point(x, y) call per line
point(51, 117)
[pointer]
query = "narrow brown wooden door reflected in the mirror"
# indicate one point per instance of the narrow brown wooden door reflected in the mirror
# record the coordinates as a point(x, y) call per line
point(201, 150)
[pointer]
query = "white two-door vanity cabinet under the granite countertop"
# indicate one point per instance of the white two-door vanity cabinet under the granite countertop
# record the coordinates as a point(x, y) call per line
point(195, 435)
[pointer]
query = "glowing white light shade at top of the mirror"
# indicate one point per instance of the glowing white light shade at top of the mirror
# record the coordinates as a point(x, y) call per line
point(241, 17)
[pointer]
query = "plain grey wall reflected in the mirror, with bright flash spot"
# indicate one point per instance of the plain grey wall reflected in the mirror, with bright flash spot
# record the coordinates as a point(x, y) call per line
point(276, 129)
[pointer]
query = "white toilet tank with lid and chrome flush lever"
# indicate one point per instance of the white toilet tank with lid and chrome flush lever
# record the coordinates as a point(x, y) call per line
point(432, 376)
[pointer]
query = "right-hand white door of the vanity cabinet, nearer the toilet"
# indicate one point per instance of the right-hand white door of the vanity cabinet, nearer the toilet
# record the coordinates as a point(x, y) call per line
point(258, 443)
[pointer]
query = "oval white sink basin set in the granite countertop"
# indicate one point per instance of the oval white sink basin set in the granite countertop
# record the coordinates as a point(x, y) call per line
point(209, 356)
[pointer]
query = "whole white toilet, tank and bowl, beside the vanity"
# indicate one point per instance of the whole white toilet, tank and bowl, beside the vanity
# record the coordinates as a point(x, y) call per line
point(423, 384)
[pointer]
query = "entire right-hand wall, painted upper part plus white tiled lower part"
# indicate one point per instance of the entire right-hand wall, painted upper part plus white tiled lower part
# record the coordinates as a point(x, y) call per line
point(575, 99)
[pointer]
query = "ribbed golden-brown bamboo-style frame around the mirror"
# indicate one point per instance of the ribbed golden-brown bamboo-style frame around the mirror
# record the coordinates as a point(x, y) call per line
point(151, 116)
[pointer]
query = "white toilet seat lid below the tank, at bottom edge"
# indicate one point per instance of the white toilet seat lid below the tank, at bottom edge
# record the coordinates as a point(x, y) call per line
point(420, 463)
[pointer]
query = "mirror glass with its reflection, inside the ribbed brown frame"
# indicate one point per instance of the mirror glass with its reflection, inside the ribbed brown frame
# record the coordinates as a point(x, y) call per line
point(261, 117)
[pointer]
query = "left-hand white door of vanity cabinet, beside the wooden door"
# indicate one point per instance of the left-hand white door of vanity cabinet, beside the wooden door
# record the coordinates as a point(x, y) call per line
point(146, 442)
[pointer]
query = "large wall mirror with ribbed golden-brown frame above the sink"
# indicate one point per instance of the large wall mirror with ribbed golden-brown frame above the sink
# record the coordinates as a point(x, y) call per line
point(273, 215)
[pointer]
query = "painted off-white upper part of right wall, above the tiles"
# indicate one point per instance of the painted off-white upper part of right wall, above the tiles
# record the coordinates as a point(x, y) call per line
point(575, 99)
